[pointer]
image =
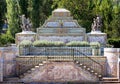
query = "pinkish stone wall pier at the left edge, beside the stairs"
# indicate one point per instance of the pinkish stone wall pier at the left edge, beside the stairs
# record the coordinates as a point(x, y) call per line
point(8, 55)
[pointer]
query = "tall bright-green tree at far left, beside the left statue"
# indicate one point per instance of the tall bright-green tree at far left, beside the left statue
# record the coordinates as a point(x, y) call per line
point(13, 16)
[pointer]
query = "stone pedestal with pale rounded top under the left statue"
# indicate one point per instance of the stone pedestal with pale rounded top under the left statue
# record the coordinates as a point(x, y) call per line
point(25, 35)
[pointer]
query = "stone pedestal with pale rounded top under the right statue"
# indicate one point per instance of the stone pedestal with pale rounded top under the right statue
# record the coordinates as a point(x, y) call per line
point(97, 36)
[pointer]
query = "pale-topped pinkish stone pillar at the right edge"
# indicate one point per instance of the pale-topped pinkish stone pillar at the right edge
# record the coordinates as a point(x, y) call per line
point(112, 55)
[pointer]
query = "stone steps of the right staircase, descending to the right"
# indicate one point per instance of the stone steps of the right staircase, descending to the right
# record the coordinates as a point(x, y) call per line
point(89, 69)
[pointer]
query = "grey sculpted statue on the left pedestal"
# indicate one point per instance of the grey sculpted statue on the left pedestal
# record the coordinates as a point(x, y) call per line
point(26, 23)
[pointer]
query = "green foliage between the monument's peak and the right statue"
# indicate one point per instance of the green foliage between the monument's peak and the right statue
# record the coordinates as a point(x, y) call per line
point(80, 9)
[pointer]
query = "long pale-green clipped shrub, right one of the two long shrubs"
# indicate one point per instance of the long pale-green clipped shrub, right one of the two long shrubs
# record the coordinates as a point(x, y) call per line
point(78, 43)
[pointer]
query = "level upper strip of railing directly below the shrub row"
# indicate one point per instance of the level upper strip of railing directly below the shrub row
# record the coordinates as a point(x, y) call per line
point(62, 51)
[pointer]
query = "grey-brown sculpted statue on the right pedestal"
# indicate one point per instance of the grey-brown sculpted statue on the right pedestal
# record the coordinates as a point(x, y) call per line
point(97, 24)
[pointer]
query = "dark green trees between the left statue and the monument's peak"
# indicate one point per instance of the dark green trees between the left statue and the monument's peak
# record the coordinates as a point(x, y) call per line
point(40, 10)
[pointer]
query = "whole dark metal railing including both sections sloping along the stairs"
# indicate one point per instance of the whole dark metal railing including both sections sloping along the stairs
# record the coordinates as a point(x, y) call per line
point(57, 54)
